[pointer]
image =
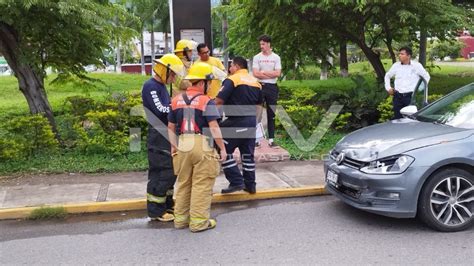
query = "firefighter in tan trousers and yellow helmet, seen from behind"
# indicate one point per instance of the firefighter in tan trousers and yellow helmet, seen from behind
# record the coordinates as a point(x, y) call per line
point(194, 117)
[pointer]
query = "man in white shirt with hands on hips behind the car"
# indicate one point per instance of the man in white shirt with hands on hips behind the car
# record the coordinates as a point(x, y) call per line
point(407, 74)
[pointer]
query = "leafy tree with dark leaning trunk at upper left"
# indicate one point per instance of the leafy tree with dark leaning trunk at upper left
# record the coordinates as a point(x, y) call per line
point(64, 35)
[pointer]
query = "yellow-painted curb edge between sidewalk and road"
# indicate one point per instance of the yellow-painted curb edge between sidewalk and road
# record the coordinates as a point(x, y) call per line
point(140, 204)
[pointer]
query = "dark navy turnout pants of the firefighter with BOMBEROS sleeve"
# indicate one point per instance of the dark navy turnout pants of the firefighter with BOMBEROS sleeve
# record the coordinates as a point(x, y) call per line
point(161, 178)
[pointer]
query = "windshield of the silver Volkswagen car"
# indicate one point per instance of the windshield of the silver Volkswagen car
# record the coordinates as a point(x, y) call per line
point(456, 109)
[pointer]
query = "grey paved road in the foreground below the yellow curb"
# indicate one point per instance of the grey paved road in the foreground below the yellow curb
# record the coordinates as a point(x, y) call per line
point(317, 230)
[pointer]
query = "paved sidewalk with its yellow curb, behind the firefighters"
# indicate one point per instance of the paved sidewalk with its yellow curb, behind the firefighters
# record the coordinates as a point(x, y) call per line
point(126, 191)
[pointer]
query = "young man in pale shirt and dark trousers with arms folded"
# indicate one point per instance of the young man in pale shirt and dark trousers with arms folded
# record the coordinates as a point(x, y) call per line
point(266, 68)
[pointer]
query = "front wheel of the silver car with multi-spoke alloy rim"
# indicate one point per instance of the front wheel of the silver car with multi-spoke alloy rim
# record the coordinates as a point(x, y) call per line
point(446, 201)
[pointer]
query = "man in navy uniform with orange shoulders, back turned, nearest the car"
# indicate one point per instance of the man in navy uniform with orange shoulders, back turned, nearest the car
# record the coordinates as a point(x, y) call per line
point(241, 95)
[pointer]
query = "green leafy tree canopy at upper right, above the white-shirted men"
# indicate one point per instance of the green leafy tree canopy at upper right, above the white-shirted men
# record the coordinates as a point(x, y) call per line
point(312, 28)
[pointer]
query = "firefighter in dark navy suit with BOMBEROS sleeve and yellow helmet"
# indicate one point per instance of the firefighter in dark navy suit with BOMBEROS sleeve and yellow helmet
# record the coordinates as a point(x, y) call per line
point(156, 102)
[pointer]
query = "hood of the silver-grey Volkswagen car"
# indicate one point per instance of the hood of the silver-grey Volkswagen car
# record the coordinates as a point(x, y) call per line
point(396, 137)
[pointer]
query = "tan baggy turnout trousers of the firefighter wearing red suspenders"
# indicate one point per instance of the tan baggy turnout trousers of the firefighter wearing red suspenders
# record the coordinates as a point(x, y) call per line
point(197, 167)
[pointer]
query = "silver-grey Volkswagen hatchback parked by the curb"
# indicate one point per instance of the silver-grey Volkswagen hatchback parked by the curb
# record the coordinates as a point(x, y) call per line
point(421, 165)
